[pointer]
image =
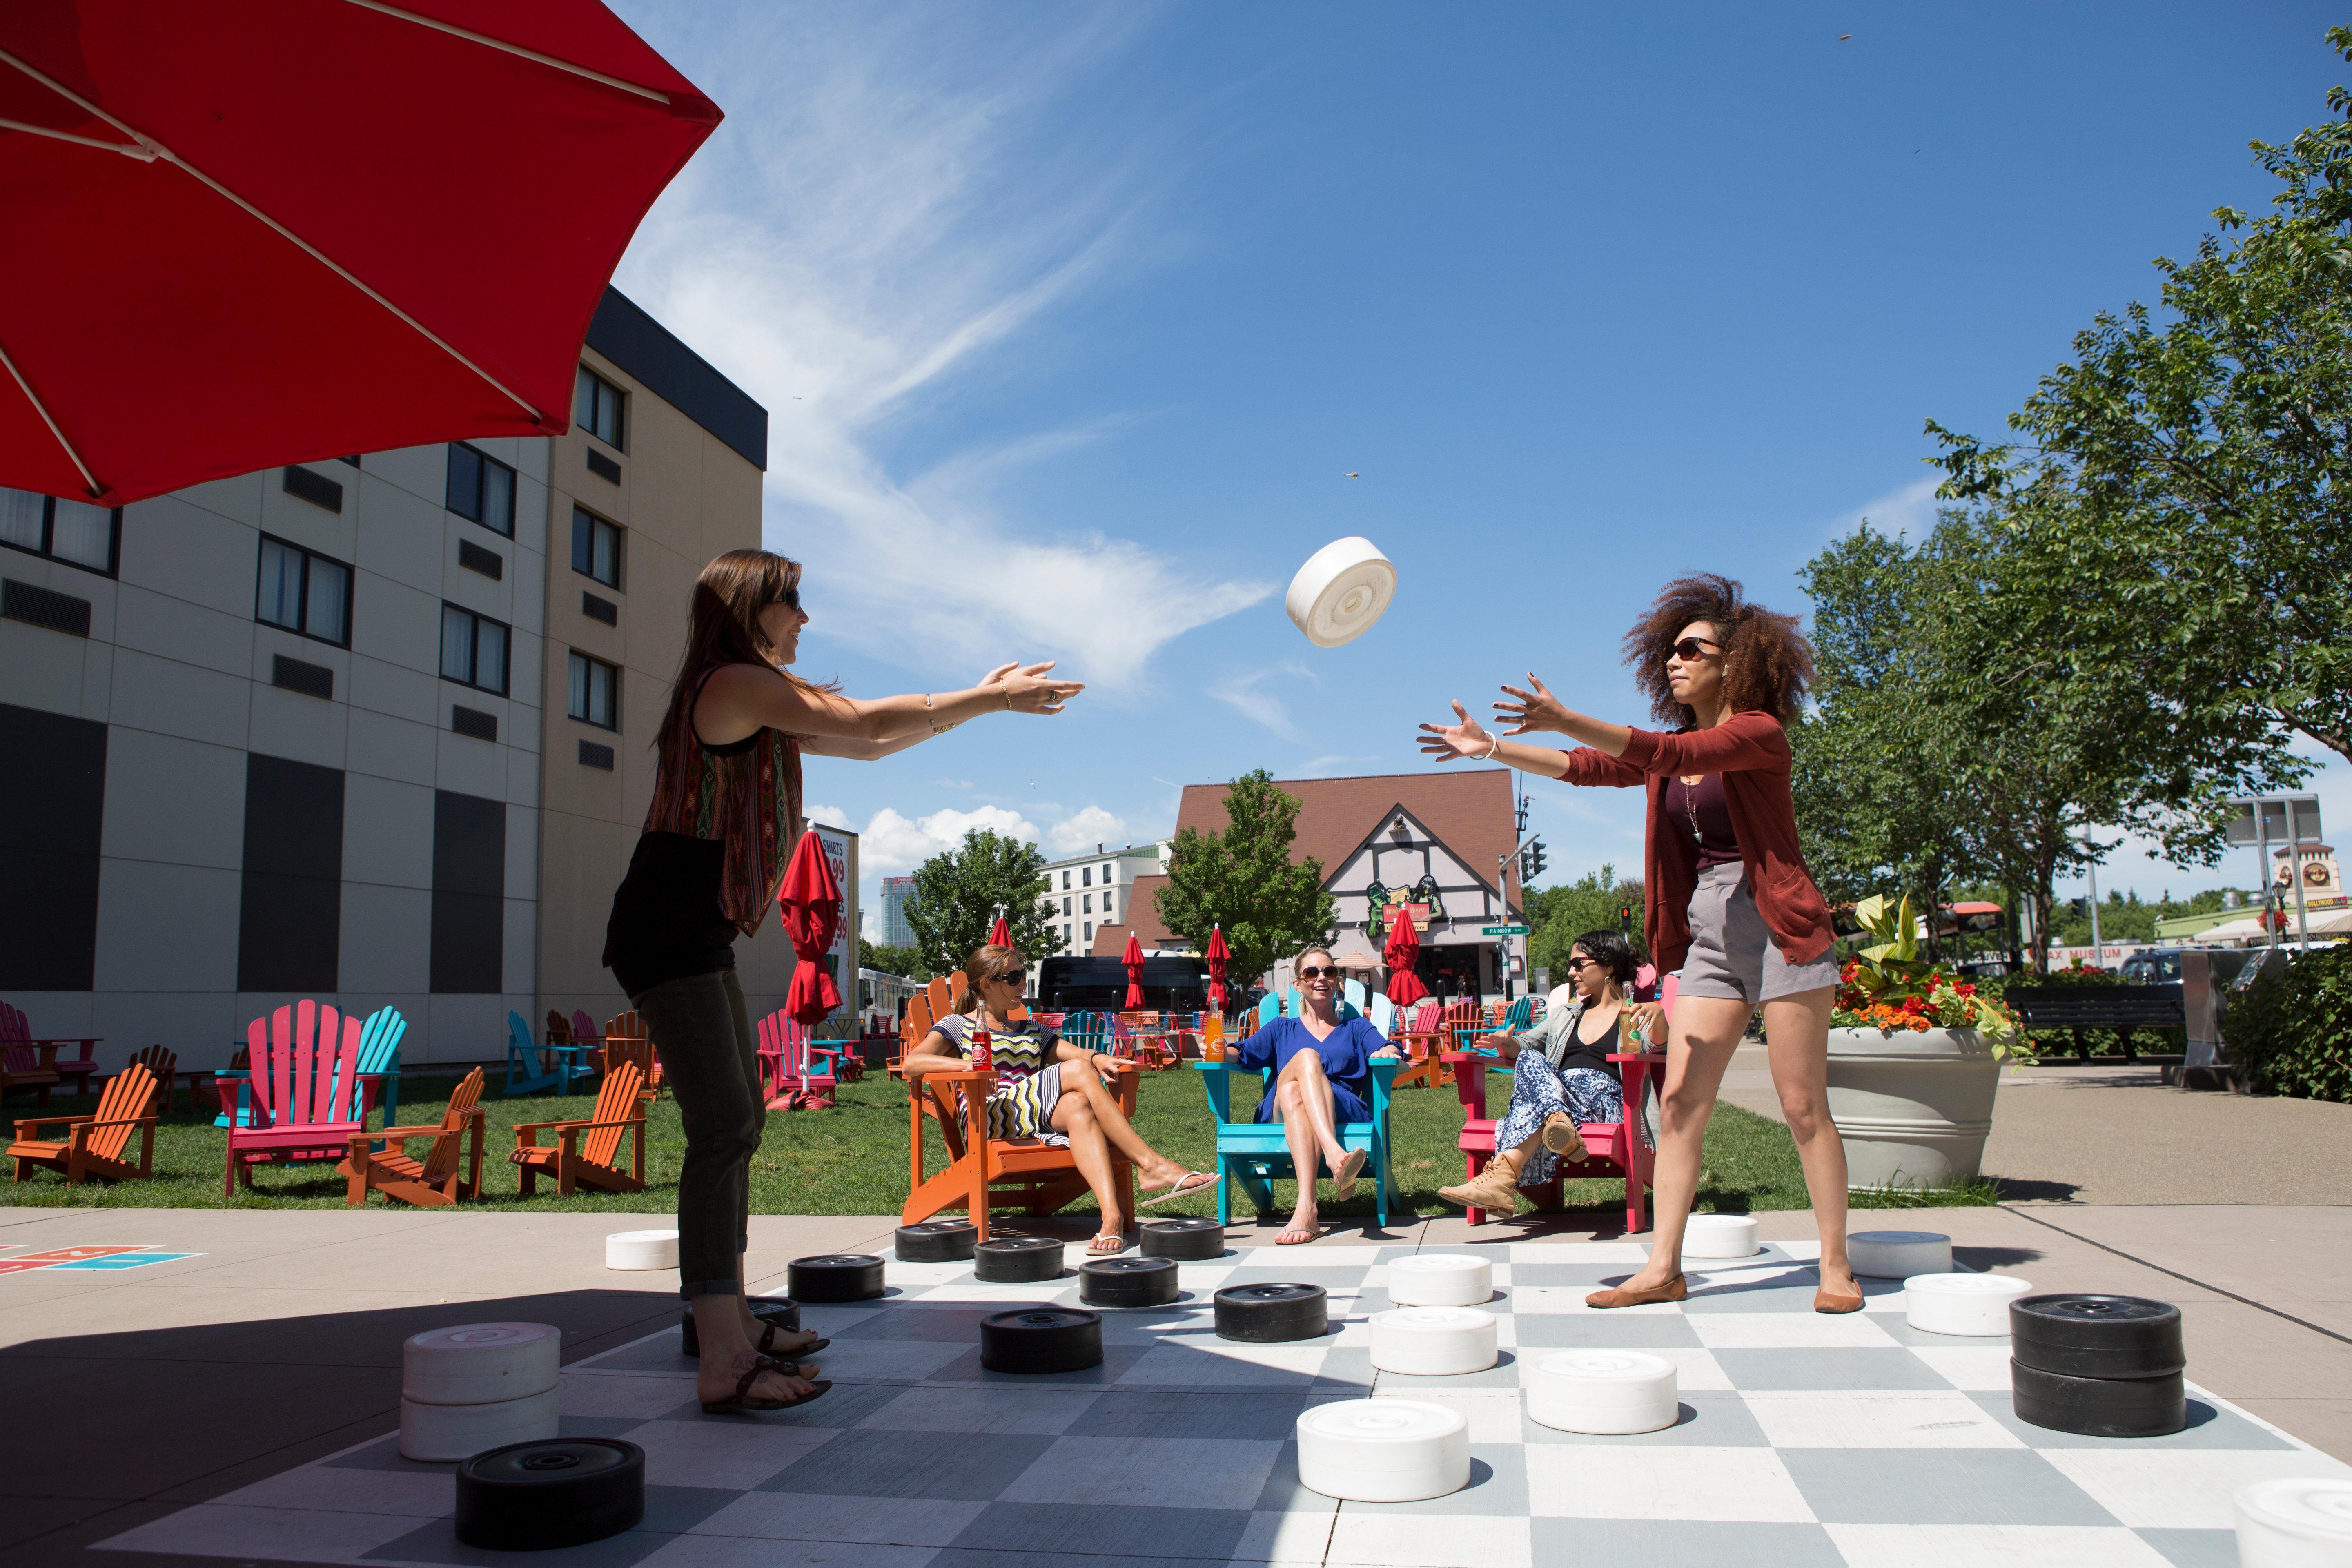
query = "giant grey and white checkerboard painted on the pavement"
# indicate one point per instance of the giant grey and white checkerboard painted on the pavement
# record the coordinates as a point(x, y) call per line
point(1803, 1440)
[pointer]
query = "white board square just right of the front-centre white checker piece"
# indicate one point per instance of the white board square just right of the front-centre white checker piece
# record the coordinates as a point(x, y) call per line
point(1662, 1482)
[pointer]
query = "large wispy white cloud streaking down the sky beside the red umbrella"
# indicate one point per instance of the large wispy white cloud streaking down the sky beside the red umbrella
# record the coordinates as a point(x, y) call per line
point(886, 213)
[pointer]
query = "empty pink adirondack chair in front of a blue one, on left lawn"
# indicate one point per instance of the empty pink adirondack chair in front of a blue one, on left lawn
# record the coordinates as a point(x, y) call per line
point(307, 1097)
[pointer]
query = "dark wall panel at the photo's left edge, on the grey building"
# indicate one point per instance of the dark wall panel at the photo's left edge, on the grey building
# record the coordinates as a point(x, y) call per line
point(53, 812)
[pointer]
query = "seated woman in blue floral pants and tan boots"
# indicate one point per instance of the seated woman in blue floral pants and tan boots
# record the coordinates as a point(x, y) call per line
point(1561, 1076)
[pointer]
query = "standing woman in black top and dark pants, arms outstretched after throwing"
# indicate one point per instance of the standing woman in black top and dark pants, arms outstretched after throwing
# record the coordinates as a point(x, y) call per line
point(709, 864)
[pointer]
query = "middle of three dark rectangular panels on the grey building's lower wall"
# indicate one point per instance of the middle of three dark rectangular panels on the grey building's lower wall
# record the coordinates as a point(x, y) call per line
point(290, 913)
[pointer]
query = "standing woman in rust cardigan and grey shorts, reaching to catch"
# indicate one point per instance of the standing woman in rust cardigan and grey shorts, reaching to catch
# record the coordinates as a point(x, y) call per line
point(1730, 902)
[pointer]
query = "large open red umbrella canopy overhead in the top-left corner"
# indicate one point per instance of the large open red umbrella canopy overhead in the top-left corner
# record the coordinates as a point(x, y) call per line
point(269, 232)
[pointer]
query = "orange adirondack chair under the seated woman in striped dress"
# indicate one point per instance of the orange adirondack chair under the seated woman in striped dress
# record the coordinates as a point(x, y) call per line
point(987, 1172)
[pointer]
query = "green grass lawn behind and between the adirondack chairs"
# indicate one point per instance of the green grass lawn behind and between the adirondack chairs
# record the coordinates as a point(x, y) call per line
point(853, 1158)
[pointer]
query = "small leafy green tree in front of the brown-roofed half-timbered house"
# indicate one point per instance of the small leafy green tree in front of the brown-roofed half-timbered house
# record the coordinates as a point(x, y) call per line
point(1245, 883)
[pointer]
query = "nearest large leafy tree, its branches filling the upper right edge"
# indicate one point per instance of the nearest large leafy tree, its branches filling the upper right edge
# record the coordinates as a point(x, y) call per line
point(2205, 558)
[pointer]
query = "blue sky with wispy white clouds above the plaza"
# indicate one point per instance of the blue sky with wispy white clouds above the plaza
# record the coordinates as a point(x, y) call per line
point(1074, 321)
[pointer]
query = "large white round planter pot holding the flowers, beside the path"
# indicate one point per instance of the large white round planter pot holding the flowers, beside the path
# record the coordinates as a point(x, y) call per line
point(1911, 1106)
